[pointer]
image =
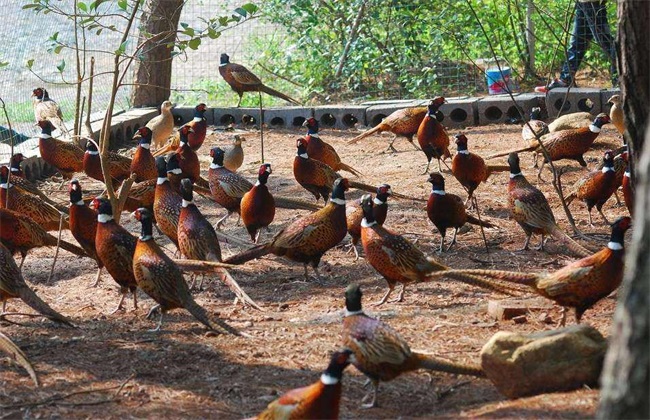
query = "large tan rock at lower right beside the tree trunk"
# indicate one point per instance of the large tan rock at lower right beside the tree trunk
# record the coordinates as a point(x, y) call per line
point(550, 361)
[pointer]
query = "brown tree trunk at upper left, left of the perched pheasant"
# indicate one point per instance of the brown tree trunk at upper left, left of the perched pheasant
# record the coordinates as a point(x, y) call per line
point(153, 74)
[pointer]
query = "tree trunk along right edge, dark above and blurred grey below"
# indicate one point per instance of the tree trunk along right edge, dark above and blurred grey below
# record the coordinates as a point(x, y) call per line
point(626, 374)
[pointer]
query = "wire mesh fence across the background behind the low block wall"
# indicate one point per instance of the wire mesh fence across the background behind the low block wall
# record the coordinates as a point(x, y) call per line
point(319, 52)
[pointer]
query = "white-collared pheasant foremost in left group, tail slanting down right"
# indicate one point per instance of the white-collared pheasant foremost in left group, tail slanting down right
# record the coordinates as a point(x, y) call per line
point(158, 276)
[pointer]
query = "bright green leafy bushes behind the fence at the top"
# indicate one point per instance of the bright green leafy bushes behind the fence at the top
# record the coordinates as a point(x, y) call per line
point(411, 47)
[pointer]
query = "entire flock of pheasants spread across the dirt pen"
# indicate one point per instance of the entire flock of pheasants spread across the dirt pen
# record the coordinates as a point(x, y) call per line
point(176, 237)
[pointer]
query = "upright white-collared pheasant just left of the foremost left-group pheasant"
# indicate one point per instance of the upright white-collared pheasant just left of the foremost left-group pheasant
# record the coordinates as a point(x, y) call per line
point(115, 247)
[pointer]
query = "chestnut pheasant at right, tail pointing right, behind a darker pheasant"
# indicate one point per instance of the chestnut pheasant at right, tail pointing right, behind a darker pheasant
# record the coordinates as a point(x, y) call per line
point(470, 169)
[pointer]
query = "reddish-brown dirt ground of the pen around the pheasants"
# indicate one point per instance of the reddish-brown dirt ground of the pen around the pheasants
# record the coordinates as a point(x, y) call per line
point(113, 367)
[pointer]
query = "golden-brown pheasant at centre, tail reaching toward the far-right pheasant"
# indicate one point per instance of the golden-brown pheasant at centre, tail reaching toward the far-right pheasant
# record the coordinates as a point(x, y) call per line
point(397, 259)
